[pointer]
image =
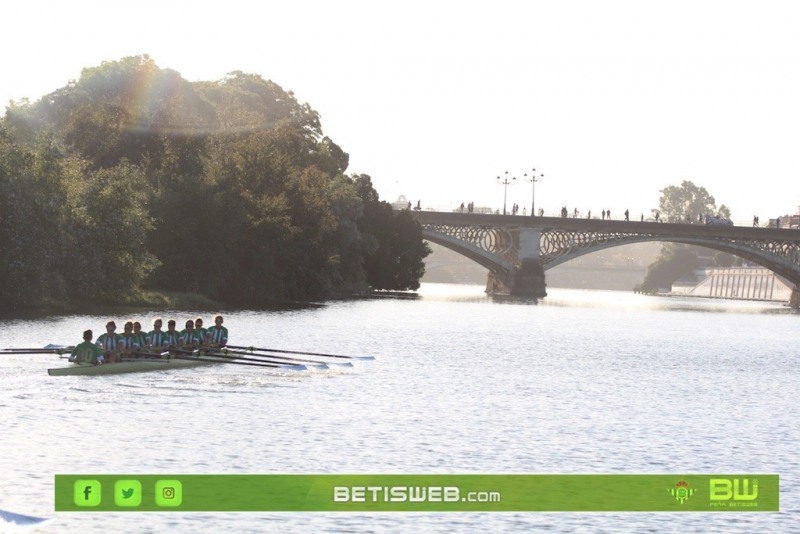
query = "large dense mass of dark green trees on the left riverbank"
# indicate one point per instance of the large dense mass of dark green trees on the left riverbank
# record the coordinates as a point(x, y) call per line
point(132, 177)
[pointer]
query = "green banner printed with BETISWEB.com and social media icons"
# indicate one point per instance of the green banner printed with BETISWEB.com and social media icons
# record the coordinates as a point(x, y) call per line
point(417, 493)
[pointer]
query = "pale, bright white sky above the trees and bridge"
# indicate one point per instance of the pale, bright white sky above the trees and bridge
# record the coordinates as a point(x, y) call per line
point(611, 101)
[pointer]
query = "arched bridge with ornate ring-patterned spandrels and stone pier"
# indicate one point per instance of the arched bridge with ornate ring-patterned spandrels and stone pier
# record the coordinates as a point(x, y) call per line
point(518, 249)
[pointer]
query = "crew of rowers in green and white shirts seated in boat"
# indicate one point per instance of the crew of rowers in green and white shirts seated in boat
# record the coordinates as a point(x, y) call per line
point(134, 343)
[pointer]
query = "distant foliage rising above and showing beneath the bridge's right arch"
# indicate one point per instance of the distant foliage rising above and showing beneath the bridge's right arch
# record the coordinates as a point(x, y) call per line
point(684, 203)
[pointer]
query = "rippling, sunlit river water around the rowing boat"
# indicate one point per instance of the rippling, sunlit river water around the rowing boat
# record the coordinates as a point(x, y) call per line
point(582, 382)
